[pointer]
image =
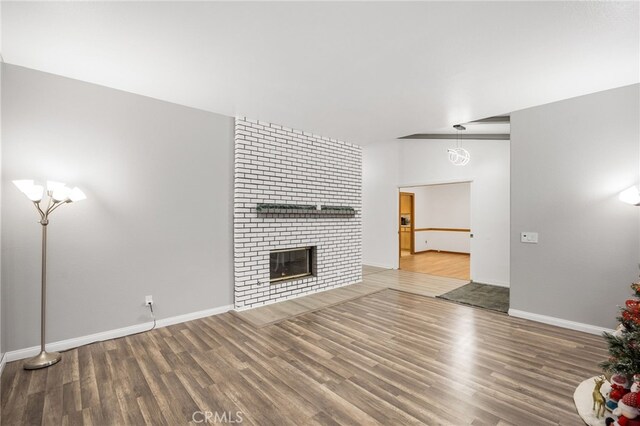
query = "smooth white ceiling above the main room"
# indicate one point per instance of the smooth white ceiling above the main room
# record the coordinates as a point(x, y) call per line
point(360, 71)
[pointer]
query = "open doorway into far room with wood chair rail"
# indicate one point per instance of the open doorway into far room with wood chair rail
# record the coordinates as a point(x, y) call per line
point(435, 229)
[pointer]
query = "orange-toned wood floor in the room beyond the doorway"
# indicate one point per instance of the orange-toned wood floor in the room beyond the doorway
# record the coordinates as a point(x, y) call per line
point(454, 265)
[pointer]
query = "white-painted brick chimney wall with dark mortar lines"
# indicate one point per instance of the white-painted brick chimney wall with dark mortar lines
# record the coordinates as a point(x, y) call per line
point(274, 164)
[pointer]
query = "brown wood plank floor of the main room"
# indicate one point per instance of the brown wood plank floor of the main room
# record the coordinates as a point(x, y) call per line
point(385, 358)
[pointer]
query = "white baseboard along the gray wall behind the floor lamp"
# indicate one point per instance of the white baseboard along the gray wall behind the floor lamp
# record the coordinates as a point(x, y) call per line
point(112, 334)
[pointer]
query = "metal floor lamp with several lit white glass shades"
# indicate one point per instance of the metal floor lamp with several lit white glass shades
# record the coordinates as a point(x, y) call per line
point(57, 194)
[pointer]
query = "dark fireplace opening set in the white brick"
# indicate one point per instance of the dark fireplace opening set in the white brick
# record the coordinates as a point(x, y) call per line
point(289, 264)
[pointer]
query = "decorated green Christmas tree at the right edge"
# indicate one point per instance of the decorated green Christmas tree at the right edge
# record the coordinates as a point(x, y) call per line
point(624, 343)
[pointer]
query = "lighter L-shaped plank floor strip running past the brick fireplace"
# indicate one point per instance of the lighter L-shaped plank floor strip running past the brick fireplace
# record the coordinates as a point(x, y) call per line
point(423, 284)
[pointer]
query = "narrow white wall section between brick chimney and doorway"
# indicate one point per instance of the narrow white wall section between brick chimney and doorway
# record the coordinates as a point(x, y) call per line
point(380, 166)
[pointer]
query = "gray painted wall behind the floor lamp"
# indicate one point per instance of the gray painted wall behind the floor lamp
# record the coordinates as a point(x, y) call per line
point(158, 218)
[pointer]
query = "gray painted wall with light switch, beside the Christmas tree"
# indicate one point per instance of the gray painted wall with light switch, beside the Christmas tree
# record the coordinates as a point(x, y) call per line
point(569, 161)
